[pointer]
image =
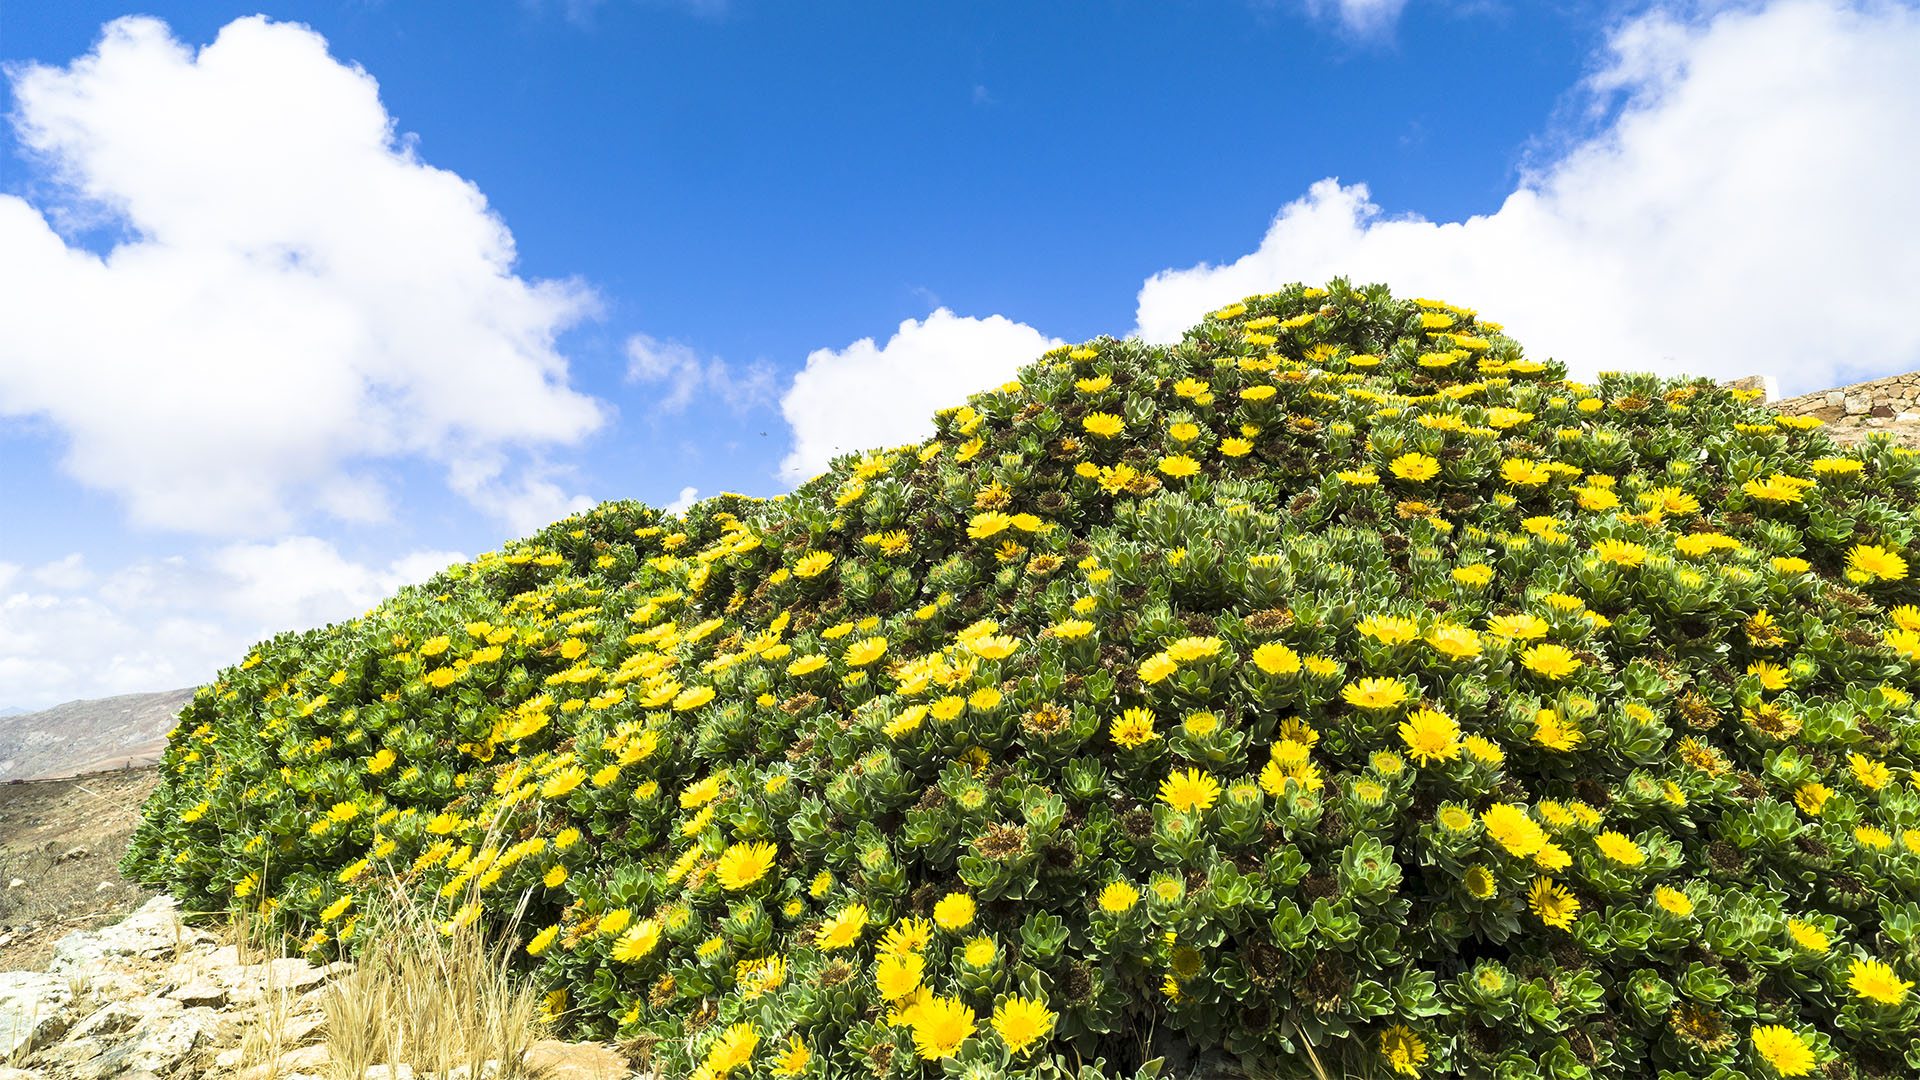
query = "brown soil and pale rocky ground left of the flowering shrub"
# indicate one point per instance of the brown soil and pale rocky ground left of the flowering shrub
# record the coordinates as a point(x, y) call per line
point(103, 979)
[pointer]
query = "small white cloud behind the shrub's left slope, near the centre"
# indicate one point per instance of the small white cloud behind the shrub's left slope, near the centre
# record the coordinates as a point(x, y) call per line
point(867, 397)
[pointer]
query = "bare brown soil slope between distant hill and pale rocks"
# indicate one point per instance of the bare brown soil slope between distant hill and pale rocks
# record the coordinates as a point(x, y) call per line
point(62, 841)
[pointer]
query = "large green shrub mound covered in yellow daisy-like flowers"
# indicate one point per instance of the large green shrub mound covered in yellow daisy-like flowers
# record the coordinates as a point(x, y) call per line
point(1333, 691)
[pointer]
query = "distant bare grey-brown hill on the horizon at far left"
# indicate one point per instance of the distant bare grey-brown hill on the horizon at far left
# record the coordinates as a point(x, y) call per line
point(84, 737)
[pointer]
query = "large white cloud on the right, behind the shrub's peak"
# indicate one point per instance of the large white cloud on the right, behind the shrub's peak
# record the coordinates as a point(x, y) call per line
point(1744, 209)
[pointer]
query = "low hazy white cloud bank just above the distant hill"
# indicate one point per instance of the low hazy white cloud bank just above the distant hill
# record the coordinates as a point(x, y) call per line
point(174, 622)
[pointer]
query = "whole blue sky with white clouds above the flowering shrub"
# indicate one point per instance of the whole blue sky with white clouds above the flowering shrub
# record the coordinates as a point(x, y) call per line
point(713, 205)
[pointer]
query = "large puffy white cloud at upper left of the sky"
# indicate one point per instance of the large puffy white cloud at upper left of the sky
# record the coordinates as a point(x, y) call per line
point(291, 295)
